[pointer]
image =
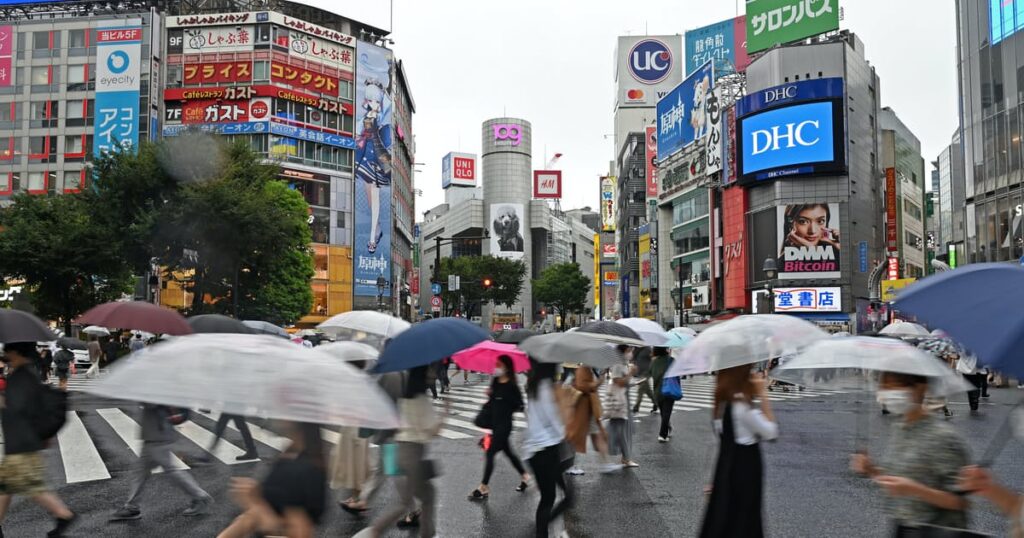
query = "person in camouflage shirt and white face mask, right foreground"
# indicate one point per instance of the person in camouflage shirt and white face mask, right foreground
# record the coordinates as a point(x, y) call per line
point(924, 459)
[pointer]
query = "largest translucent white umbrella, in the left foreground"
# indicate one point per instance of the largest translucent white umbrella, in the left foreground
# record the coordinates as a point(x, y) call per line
point(250, 376)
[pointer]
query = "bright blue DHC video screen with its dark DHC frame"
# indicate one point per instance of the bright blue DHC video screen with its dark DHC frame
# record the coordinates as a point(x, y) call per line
point(794, 130)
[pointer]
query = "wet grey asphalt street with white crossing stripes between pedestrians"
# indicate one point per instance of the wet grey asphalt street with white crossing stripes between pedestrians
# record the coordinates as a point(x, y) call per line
point(809, 491)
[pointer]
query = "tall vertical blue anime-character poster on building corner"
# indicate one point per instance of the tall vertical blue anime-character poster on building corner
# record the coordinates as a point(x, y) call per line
point(374, 125)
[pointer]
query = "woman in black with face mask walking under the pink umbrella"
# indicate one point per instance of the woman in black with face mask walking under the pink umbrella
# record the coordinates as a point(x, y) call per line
point(504, 401)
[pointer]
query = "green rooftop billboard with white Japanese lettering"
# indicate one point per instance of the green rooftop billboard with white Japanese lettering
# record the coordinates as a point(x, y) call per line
point(772, 23)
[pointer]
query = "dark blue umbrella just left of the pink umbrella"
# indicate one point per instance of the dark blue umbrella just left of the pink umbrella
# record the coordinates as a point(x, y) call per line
point(429, 342)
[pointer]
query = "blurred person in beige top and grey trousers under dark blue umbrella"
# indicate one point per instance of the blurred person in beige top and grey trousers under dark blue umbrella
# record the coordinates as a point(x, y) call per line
point(420, 425)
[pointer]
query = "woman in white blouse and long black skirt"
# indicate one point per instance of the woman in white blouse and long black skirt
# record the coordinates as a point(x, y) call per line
point(735, 508)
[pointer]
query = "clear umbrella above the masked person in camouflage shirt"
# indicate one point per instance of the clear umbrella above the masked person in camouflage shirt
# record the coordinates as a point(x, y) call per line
point(855, 362)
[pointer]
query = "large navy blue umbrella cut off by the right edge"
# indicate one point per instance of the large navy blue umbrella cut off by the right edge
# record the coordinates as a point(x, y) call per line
point(980, 306)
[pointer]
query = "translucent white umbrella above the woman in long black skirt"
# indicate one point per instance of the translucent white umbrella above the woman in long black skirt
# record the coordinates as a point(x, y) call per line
point(745, 340)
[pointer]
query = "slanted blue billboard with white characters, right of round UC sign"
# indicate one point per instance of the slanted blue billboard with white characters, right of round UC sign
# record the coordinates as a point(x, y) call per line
point(682, 116)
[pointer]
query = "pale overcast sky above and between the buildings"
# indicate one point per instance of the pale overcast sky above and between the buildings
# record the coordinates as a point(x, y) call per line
point(551, 63)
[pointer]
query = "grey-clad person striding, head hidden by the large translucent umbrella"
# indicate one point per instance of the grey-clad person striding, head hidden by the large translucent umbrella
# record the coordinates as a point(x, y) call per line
point(158, 437)
